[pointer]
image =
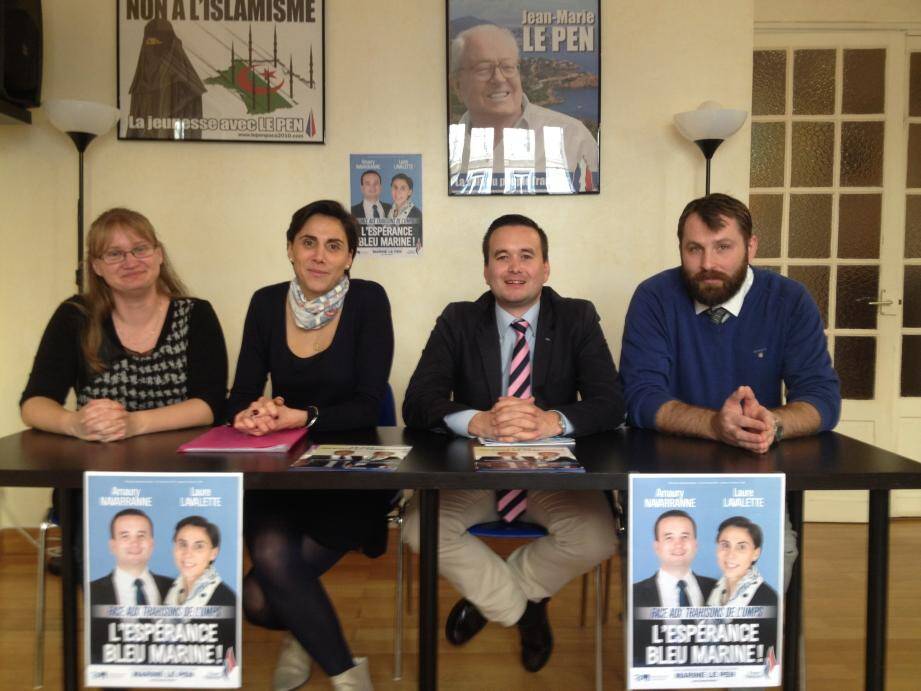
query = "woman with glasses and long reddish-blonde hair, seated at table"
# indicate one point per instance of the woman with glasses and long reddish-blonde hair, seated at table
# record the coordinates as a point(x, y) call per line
point(139, 354)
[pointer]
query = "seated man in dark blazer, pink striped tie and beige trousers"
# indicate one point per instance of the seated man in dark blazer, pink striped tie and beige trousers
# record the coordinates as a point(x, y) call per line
point(520, 363)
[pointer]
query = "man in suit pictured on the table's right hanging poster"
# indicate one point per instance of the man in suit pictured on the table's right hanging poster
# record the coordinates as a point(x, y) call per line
point(674, 584)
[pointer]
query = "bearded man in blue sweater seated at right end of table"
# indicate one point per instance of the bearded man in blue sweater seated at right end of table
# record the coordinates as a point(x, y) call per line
point(710, 346)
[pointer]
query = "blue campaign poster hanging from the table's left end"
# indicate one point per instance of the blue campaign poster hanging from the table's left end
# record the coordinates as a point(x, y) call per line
point(163, 556)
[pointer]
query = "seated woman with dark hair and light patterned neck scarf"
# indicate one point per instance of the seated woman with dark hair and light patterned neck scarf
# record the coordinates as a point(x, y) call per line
point(327, 342)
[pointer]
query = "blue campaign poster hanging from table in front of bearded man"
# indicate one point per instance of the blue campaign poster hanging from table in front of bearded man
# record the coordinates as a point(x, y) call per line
point(706, 568)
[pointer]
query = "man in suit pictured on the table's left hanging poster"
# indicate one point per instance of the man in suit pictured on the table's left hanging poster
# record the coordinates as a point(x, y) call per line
point(131, 582)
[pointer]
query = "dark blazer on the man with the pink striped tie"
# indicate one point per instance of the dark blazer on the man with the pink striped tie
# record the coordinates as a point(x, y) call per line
point(460, 365)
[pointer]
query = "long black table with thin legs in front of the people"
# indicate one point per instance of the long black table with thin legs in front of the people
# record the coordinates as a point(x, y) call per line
point(828, 461)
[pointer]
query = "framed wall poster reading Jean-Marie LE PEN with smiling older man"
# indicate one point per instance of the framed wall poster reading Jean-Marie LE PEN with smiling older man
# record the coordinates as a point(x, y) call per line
point(523, 96)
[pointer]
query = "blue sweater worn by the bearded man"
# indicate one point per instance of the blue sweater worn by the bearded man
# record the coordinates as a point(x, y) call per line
point(670, 353)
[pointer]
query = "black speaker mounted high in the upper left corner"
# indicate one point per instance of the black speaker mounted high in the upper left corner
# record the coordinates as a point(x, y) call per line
point(21, 52)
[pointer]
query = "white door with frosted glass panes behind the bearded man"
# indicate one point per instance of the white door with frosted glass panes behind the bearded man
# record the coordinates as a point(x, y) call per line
point(833, 199)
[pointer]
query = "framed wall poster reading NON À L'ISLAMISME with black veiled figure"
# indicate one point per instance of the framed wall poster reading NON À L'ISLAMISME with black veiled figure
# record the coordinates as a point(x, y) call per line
point(221, 70)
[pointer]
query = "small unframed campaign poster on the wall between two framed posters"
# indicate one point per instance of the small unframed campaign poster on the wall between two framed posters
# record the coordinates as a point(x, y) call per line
point(386, 193)
